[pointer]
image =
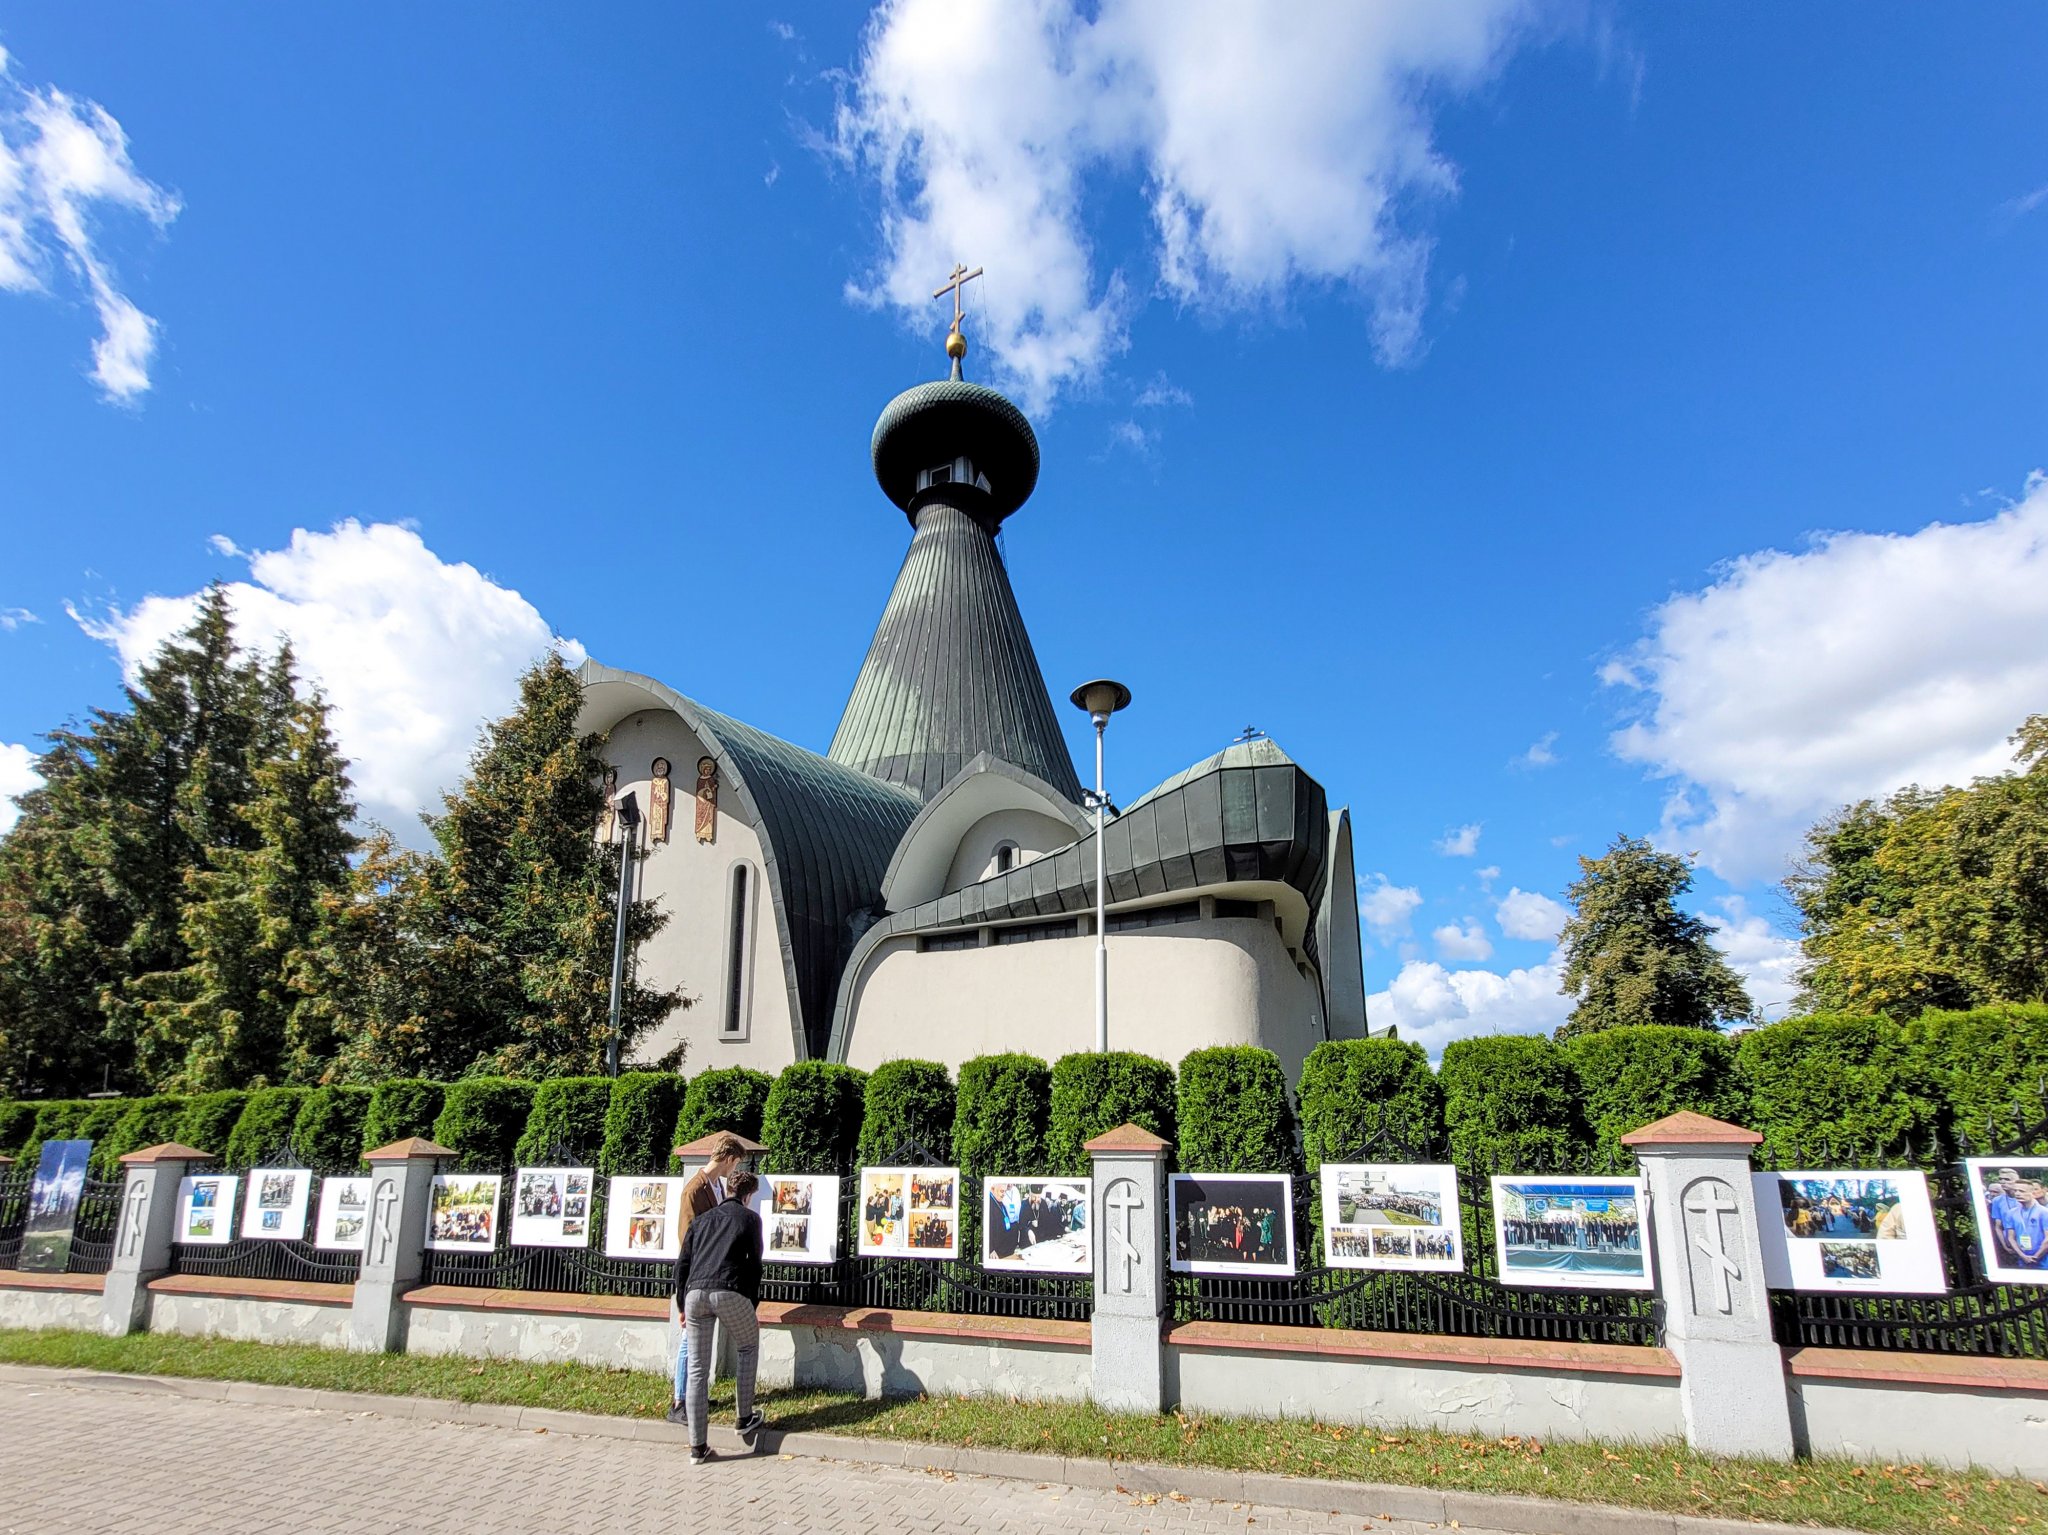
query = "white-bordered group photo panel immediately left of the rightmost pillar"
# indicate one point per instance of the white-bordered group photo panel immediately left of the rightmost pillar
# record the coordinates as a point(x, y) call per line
point(1560, 1233)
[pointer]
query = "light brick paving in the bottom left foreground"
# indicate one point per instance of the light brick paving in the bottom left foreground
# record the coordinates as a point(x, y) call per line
point(114, 1460)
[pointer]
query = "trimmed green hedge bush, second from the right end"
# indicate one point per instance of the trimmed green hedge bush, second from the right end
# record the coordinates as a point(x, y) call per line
point(1838, 1090)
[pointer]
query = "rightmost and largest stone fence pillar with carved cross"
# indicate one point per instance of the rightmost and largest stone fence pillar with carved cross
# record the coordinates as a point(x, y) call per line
point(1711, 1280)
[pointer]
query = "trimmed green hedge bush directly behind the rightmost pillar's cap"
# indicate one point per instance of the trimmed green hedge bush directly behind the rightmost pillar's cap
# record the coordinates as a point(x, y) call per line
point(1646, 1071)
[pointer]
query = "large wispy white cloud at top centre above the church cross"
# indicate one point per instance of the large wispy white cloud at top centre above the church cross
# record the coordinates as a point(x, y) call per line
point(1269, 157)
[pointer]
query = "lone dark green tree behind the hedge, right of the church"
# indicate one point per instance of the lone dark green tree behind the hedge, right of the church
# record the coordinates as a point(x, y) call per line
point(1633, 957)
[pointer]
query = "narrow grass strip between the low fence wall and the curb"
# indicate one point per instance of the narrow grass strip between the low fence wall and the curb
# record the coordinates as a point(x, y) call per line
point(1887, 1499)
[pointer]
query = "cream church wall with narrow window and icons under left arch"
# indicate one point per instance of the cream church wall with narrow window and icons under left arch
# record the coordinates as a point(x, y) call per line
point(693, 885)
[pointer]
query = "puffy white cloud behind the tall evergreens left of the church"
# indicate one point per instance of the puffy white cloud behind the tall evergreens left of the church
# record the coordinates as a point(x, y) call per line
point(413, 652)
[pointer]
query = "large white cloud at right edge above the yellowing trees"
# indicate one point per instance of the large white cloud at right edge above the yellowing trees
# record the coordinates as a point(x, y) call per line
point(1801, 683)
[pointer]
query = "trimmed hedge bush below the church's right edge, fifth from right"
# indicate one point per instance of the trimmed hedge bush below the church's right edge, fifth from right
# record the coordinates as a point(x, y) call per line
point(1371, 1100)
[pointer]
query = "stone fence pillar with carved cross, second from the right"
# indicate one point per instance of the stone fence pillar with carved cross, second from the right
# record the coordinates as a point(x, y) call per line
point(1132, 1270)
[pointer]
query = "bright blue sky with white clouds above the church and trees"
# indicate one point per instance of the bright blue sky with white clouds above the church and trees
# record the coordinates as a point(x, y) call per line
point(1553, 421)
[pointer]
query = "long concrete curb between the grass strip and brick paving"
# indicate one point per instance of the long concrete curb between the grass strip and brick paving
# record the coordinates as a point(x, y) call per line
point(1140, 1479)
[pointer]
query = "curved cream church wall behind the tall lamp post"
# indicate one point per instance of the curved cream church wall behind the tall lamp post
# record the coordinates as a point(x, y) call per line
point(1172, 990)
